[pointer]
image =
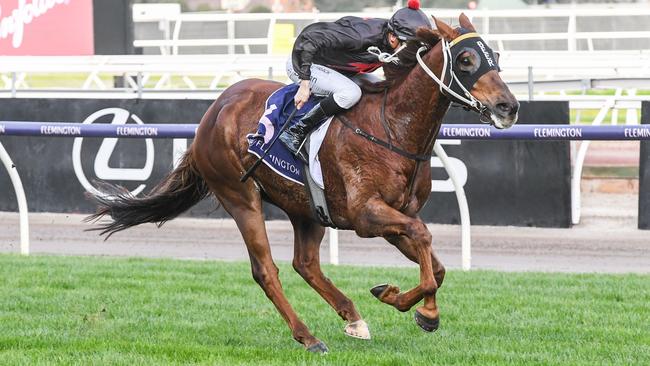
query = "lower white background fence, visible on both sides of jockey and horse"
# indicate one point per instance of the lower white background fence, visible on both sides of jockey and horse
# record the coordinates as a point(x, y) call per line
point(526, 71)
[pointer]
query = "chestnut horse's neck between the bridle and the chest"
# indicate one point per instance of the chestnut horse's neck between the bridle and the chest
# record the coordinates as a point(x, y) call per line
point(415, 108)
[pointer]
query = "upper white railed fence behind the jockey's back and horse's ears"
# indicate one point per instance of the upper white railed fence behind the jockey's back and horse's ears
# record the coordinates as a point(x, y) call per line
point(570, 29)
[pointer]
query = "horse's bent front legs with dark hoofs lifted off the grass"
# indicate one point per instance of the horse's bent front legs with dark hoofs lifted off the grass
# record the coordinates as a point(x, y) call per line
point(379, 219)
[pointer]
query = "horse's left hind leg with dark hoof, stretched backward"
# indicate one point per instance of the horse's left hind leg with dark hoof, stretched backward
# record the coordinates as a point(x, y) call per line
point(245, 206)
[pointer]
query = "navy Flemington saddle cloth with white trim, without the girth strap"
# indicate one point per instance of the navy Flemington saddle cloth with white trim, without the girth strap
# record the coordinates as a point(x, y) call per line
point(277, 109)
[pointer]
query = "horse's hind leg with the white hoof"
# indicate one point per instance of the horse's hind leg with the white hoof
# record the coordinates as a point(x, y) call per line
point(306, 261)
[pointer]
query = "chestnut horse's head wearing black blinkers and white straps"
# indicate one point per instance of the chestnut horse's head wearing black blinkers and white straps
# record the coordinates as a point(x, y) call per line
point(471, 76)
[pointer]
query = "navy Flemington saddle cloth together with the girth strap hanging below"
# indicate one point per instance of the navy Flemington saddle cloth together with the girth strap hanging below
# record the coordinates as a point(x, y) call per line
point(279, 107)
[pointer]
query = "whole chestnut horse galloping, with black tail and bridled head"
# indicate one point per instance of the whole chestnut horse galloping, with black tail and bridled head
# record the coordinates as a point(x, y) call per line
point(371, 189)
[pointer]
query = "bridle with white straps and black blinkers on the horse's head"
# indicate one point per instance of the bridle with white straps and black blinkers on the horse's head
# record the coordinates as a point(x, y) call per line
point(466, 99)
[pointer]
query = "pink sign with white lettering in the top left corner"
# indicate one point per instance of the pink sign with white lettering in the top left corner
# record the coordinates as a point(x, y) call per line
point(46, 27)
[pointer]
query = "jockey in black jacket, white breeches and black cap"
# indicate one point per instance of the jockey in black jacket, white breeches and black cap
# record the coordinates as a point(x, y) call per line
point(328, 57)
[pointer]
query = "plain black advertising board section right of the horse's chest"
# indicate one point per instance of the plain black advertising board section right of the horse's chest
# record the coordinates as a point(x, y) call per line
point(520, 183)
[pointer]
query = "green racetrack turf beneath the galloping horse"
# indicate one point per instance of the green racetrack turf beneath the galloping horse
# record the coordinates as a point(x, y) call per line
point(101, 311)
